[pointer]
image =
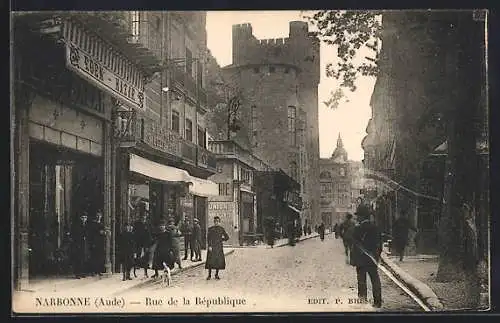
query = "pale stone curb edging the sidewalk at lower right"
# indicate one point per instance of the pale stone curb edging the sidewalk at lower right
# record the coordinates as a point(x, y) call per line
point(424, 292)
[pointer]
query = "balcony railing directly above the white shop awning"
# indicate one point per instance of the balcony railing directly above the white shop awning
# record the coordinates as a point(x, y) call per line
point(148, 132)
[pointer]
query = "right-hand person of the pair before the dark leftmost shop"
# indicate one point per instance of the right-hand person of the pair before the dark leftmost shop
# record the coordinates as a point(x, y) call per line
point(97, 239)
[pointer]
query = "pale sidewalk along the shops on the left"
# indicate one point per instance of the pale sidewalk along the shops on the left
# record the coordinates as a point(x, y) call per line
point(108, 284)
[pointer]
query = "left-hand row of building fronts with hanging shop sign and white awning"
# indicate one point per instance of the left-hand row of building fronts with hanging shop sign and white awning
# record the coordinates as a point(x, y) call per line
point(95, 128)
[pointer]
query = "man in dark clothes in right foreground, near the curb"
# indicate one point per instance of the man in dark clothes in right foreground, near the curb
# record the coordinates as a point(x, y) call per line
point(365, 254)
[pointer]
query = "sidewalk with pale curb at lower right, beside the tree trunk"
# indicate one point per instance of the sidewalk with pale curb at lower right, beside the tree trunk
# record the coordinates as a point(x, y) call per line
point(419, 273)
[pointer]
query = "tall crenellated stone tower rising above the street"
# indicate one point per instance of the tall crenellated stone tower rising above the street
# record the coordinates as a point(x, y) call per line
point(278, 80)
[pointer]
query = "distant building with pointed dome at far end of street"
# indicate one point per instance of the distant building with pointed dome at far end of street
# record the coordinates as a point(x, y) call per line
point(336, 186)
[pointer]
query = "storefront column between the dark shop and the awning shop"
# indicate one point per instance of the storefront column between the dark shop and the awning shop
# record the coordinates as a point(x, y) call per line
point(108, 208)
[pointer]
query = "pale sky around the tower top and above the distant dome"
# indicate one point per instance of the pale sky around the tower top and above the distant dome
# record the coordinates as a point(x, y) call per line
point(349, 119)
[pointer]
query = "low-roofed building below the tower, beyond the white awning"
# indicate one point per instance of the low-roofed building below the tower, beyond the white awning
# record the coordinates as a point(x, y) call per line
point(236, 203)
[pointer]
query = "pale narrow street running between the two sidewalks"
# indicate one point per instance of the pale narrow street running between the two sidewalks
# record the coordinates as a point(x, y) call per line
point(280, 279)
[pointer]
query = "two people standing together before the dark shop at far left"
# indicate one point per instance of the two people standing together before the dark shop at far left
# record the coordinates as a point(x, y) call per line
point(87, 245)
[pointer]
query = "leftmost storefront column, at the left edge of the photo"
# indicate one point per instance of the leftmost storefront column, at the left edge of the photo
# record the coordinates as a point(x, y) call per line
point(23, 99)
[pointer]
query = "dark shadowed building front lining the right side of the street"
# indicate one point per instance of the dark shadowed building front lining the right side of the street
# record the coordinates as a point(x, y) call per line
point(408, 147)
